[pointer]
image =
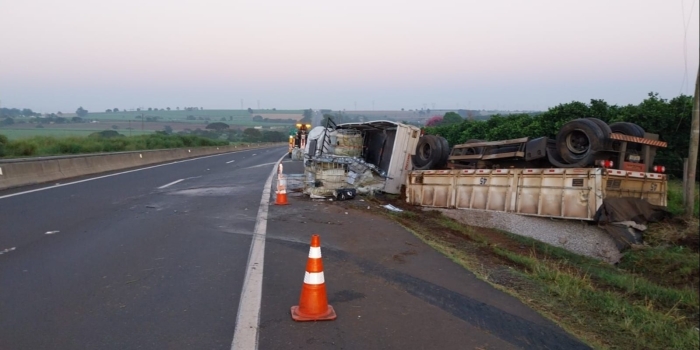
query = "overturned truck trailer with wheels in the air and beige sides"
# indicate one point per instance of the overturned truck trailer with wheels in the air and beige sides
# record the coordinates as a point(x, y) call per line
point(567, 177)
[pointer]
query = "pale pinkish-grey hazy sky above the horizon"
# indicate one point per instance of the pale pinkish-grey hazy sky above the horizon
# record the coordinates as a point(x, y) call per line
point(352, 55)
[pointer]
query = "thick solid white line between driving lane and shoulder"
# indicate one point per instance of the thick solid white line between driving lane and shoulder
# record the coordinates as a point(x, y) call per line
point(245, 337)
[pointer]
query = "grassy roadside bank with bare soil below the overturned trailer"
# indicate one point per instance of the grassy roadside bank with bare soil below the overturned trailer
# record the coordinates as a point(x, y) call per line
point(649, 300)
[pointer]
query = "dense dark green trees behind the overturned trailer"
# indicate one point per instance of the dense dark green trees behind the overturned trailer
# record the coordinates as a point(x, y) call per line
point(670, 119)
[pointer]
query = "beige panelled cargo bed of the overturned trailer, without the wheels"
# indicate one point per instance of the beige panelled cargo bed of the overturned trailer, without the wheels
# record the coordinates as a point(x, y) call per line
point(571, 193)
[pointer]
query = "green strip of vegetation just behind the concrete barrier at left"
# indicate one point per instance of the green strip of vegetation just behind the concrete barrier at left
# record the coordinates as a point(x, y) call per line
point(106, 141)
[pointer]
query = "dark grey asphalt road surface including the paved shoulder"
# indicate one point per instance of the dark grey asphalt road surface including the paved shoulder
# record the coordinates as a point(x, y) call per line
point(163, 257)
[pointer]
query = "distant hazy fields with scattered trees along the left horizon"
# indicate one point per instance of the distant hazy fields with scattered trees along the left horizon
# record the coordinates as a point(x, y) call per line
point(264, 125)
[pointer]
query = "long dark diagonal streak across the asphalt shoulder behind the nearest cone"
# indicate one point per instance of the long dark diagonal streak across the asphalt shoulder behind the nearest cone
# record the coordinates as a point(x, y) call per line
point(506, 326)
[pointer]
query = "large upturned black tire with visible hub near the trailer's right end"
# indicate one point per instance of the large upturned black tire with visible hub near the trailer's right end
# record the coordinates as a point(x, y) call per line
point(579, 140)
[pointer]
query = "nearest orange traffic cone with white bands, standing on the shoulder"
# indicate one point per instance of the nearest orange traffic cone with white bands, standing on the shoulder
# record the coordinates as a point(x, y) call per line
point(313, 303)
